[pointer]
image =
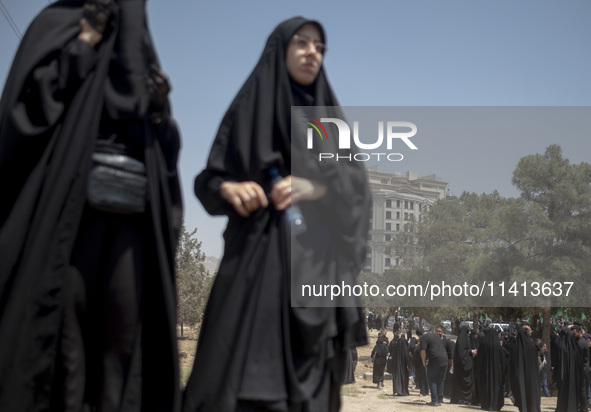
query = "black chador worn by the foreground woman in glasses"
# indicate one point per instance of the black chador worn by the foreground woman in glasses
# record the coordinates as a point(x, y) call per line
point(252, 285)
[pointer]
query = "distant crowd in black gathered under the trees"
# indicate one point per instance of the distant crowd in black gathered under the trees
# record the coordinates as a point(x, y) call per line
point(485, 368)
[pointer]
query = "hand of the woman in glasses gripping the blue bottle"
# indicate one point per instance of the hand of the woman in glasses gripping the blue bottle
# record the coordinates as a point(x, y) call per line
point(295, 189)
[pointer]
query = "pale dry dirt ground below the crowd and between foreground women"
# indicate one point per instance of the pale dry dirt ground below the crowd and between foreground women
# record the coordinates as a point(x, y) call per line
point(363, 395)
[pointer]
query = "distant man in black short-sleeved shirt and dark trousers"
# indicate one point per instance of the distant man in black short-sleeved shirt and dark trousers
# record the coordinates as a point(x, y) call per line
point(433, 350)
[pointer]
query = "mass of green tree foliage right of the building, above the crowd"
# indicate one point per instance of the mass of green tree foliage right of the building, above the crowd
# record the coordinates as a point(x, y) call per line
point(543, 236)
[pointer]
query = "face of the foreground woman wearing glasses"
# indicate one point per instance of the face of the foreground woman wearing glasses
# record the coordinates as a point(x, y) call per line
point(304, 54)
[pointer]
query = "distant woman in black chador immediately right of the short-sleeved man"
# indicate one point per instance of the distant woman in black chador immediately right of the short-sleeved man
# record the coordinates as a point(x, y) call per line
point(463, 372)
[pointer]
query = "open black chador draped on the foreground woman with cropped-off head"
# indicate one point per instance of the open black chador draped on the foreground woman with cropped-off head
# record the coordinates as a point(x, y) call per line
point(46, 142)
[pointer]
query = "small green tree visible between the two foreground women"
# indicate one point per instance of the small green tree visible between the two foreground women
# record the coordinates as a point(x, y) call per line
point(192, 280)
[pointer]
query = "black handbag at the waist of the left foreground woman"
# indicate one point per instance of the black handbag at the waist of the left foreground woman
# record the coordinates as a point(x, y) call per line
point(117, 183)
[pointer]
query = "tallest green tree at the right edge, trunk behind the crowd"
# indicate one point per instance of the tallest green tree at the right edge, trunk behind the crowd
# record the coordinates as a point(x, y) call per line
point(563, 191)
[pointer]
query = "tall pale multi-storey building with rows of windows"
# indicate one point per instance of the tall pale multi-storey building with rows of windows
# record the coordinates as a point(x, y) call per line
point(397, 199)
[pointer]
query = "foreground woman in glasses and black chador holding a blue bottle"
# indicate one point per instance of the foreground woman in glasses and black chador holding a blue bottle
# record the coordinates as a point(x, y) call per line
point(274, 351)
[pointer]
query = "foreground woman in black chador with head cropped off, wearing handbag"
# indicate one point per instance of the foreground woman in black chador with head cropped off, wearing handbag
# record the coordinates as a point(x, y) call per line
point(87, 302)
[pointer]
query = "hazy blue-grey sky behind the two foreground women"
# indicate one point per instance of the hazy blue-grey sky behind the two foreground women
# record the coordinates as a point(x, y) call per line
point(386, 53)
